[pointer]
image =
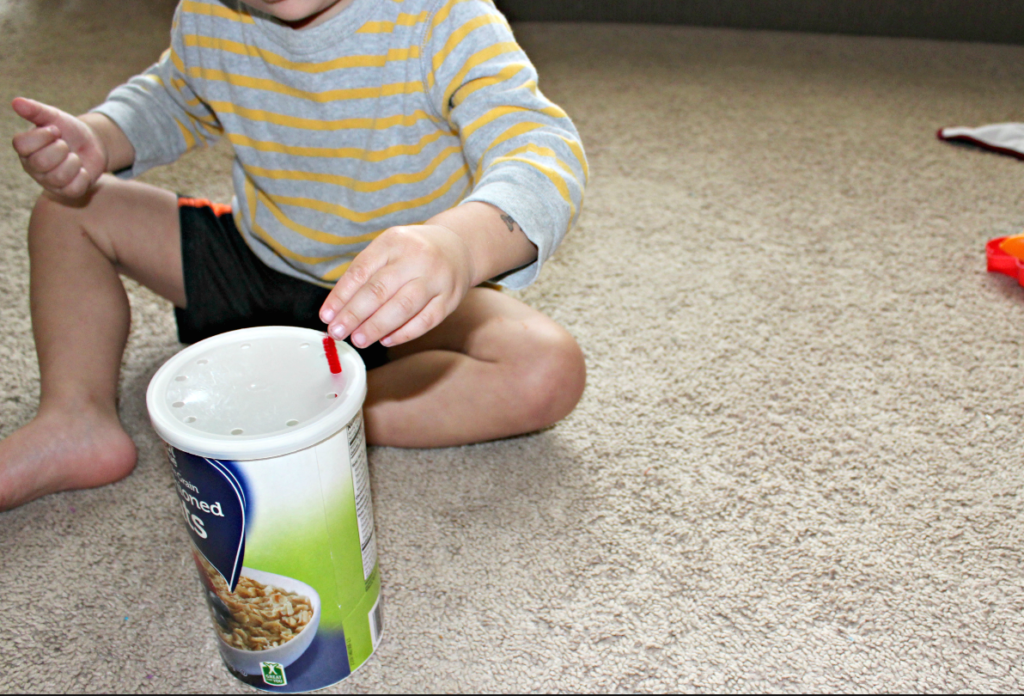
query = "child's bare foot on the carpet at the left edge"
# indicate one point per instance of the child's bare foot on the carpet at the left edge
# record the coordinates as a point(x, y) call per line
point(63, 451)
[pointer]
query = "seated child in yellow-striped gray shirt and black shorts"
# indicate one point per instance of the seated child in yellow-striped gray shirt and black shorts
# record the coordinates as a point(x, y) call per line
point(394, 160)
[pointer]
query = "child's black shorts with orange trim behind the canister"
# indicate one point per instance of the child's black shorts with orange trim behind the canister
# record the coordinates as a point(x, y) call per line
point(229, 288)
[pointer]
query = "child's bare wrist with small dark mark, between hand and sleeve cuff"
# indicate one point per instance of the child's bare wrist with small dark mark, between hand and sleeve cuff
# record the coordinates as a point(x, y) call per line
point(496, 242)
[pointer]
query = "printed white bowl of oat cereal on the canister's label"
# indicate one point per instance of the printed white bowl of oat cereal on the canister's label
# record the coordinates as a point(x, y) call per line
point(268, 619)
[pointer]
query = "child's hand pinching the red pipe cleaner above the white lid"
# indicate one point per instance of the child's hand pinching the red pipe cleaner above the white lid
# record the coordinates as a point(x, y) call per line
point(400, 287)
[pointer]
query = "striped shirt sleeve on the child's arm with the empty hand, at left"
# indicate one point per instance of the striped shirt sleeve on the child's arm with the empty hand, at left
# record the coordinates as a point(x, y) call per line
point(159, 113)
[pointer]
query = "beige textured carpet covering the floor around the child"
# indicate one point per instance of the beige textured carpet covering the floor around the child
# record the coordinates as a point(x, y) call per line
point(798, 462)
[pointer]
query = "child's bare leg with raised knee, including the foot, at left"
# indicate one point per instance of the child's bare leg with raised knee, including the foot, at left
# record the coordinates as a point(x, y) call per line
point(80, 320)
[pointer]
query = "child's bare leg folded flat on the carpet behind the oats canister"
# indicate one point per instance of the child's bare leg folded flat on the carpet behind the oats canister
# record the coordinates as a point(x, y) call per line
point(495, 368)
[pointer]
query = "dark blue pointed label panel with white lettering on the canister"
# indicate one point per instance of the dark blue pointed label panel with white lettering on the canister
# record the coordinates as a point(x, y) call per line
point(214, 499)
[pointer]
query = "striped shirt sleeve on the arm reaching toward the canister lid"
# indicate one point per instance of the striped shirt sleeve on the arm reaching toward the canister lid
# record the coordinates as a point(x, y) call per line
point(524, 152)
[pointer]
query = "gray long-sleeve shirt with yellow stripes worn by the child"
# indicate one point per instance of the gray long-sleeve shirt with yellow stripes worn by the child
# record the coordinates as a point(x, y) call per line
point(388, 114)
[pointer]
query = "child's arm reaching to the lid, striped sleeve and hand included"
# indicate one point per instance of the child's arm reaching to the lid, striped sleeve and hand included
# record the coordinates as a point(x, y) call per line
point(529, 170)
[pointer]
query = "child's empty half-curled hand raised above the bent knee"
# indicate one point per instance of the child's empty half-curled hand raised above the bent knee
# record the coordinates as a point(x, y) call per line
point(62, 153)
